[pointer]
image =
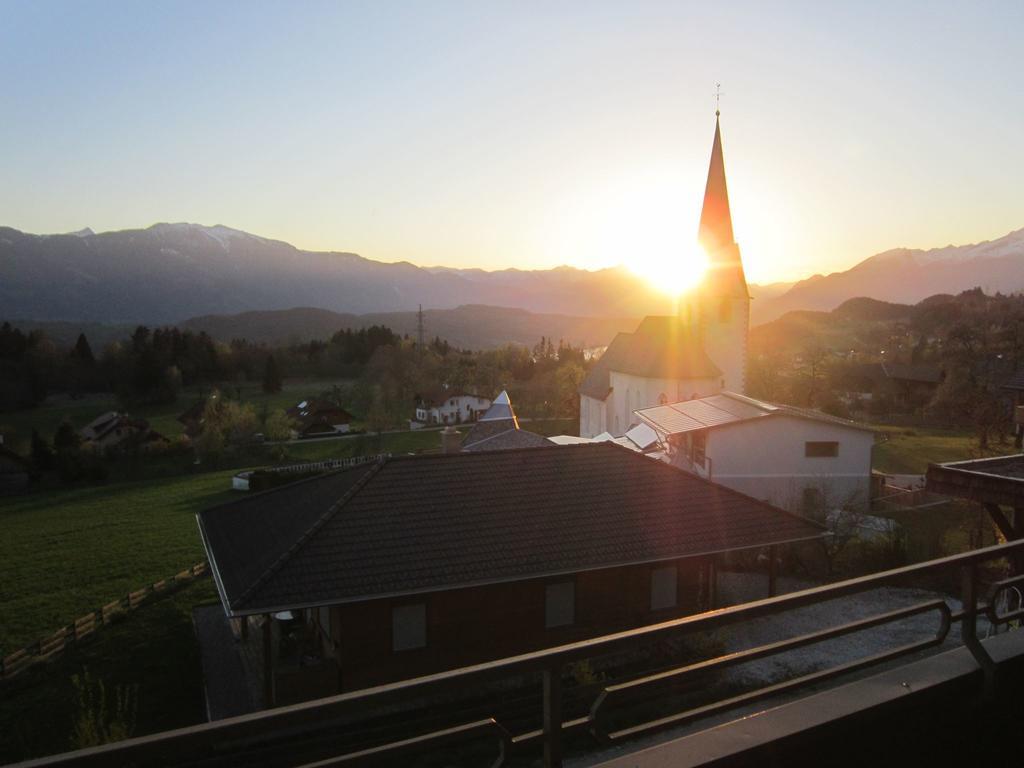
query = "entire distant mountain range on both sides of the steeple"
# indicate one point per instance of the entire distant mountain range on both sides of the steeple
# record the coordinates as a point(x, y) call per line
point(172, 273)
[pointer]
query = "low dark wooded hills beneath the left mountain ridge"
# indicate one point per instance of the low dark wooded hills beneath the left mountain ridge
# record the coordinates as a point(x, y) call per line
point(471, 327)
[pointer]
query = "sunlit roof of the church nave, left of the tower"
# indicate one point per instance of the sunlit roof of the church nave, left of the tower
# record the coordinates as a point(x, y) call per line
point(662, 348)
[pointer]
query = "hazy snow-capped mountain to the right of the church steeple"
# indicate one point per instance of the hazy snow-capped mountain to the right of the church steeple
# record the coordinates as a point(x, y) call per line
point(908, 276)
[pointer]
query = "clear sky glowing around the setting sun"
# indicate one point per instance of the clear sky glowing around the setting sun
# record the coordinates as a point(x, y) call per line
point(524, 136)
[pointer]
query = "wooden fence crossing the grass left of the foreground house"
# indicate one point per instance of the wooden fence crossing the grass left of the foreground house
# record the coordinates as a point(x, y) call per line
point(84, 626)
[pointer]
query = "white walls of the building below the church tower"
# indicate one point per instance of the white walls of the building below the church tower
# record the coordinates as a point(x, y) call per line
point(766, 459)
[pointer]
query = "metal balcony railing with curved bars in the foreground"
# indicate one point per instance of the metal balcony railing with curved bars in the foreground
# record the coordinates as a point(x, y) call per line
point(294, 736)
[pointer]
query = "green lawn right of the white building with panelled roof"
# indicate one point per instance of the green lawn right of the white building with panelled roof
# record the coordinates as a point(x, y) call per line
point(911, 450)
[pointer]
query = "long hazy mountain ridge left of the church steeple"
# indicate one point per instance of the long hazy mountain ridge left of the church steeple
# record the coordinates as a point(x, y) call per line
point(169, 273)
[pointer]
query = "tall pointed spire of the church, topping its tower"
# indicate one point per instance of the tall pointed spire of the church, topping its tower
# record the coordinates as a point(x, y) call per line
point(726, 275)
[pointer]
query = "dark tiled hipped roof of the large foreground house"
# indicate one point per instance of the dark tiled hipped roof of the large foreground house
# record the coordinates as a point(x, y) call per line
point(424, 524)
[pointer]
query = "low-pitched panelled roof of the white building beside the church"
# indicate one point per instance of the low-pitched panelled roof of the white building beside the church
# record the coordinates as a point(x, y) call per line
point(728, 408)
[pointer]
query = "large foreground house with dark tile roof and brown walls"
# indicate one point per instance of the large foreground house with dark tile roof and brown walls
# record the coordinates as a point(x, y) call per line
point(417, 565)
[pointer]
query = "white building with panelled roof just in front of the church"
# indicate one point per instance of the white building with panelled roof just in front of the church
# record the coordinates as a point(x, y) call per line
point(799, 459)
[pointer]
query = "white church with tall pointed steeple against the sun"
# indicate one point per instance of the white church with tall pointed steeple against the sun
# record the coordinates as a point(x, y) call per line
point(701, 352)
